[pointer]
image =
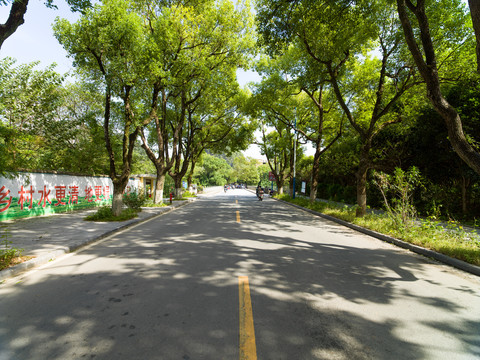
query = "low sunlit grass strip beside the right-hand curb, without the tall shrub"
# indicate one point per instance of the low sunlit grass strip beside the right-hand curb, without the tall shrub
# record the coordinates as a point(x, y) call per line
point(450, 239)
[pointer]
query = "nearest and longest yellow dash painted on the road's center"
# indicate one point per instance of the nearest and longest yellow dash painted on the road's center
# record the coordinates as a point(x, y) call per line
point(248, 349)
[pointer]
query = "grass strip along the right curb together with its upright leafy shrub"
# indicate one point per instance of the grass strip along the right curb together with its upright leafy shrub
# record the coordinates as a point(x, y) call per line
point(400, 220)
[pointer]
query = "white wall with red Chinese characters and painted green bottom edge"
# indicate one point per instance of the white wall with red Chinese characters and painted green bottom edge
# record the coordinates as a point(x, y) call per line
point(34, 194)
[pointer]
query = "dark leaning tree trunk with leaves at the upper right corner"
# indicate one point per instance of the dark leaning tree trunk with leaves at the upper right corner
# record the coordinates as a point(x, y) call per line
point(424, 47)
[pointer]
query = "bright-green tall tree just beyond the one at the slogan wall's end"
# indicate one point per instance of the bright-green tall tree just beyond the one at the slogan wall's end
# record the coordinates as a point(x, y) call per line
point(194, 42)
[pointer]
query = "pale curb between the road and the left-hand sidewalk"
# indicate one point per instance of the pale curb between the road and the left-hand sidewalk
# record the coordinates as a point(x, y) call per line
point(43, 259)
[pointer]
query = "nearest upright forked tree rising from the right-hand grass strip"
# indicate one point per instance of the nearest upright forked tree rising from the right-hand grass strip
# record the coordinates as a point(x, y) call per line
point(335, 35)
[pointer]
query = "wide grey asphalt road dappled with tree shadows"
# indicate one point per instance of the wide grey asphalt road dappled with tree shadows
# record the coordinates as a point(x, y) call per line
point(174, 288)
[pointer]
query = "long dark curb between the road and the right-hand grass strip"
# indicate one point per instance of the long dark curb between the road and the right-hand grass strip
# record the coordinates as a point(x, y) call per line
point(459, 264)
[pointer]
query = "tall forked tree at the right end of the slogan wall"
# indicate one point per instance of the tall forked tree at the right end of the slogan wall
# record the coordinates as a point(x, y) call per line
point(106, 44)
